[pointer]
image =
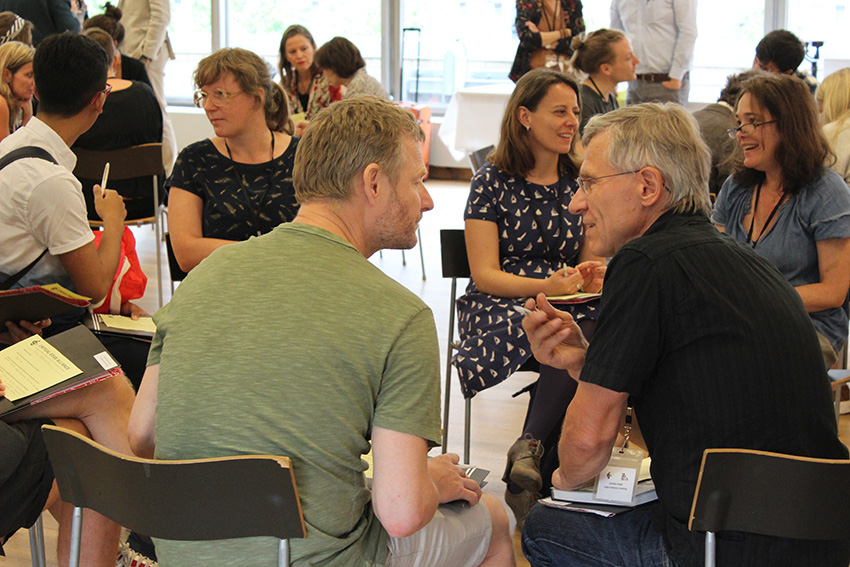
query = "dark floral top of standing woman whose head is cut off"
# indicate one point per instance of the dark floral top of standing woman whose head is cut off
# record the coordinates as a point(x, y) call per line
point(532, 11)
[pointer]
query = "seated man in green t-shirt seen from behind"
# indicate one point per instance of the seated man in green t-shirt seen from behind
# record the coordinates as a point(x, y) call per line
point(294, 344)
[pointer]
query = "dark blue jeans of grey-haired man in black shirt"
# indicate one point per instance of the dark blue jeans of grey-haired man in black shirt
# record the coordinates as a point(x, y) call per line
point(575, 539)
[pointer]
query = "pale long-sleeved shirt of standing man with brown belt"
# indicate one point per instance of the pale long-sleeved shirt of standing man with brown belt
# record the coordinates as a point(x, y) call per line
point(662, 32)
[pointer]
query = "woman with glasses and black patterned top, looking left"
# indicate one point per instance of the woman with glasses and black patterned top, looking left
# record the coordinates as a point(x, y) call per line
point(237, 184)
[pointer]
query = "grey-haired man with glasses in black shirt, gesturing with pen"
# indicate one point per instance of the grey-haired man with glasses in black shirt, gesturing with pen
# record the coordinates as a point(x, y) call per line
point(693, 331)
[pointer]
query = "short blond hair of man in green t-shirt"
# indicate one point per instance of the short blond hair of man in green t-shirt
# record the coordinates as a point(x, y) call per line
point(344, 139)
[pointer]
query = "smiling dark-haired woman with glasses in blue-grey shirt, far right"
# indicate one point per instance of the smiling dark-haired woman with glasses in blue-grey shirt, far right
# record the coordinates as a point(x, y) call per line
point(785, 203)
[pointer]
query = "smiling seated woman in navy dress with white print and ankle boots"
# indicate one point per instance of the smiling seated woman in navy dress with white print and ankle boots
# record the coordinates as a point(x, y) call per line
point(522, 240)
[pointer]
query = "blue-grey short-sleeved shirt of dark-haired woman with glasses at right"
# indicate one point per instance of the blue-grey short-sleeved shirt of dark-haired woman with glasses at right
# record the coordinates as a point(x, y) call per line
point(820, 211)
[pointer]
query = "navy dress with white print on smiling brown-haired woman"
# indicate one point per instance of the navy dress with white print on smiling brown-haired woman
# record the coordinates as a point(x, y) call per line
point(537, 235)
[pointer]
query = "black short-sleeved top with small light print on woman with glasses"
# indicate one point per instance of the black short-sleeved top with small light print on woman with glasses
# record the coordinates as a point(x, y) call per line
point(240, 200)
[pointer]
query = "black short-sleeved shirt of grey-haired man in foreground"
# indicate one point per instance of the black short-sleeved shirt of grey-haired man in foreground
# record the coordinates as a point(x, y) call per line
point(715, 349)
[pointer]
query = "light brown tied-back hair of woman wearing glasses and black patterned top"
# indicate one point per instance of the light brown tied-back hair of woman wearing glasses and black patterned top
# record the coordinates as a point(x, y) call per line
point(252, 74)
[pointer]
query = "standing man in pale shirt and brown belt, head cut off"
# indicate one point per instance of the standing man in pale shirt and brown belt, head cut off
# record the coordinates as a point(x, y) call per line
point(663, 33)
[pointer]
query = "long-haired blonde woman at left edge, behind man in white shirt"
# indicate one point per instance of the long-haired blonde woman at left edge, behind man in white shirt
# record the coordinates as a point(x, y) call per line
point(16, 86)
